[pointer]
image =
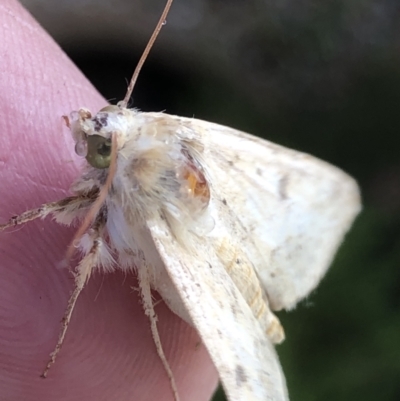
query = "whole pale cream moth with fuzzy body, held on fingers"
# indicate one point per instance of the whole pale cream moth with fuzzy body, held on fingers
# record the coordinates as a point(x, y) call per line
point(225, 226)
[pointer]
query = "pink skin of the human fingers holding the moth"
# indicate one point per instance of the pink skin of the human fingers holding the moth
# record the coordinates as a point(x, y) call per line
point(108, 353)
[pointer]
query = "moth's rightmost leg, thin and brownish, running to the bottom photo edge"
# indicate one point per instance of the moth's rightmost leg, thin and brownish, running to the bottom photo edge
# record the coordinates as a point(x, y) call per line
point(144, 284)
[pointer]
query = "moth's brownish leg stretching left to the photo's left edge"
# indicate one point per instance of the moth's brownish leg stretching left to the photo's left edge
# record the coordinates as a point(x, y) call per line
point(66, 205)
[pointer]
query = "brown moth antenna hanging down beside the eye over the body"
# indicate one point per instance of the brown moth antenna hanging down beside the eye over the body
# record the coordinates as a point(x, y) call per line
point(98, 203)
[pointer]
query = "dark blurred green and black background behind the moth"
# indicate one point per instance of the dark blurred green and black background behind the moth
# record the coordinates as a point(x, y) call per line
point(321, 77)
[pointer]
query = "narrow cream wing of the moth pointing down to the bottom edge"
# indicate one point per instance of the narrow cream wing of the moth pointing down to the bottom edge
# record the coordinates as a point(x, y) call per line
point(245, 359)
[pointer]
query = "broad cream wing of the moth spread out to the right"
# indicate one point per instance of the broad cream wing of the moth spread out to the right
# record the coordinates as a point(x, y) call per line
point(294, 208)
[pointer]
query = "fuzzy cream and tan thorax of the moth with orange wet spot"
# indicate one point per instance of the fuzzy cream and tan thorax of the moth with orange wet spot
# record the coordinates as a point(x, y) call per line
point(159, 174)
